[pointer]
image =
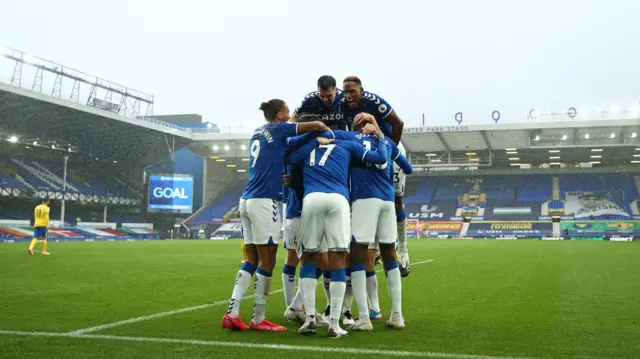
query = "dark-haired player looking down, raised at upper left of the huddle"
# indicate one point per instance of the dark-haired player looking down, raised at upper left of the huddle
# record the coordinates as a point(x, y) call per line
point(325, 102)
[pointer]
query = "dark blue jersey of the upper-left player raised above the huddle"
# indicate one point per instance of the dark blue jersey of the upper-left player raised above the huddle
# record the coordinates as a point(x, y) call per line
point(330, 115)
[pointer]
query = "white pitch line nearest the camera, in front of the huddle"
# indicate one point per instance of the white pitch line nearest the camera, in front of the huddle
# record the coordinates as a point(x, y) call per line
point(325, 349)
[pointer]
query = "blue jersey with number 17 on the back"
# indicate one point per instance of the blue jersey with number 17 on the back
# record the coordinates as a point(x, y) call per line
point(326, 167)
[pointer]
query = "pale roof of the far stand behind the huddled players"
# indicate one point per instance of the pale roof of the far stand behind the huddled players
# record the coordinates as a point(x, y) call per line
point(556, 140)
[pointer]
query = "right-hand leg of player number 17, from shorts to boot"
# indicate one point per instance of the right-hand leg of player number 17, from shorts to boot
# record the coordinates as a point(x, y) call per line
point(338, 232)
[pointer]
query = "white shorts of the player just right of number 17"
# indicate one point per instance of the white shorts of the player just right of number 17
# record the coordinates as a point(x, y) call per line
point(373, 221)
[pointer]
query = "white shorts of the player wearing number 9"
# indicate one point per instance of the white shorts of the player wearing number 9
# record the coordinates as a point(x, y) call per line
point(260, 218)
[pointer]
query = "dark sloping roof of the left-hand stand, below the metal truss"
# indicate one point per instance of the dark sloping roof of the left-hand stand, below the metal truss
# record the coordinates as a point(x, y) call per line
point(31, 116)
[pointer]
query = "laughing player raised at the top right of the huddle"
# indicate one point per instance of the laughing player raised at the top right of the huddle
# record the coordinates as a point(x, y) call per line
point(355, 104)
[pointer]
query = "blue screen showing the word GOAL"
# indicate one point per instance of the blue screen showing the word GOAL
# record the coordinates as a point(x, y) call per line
point(170, 193)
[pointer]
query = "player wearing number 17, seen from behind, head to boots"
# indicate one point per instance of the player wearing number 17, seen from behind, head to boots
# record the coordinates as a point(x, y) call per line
point(326, 213)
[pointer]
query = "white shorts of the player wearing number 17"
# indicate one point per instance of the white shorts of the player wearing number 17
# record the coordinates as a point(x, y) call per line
point(325, 221)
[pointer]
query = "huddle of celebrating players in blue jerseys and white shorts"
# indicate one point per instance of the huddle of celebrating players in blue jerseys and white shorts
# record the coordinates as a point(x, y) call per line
point(345, 173)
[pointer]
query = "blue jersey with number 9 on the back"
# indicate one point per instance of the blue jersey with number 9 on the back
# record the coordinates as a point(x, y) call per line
point(266, 160)
